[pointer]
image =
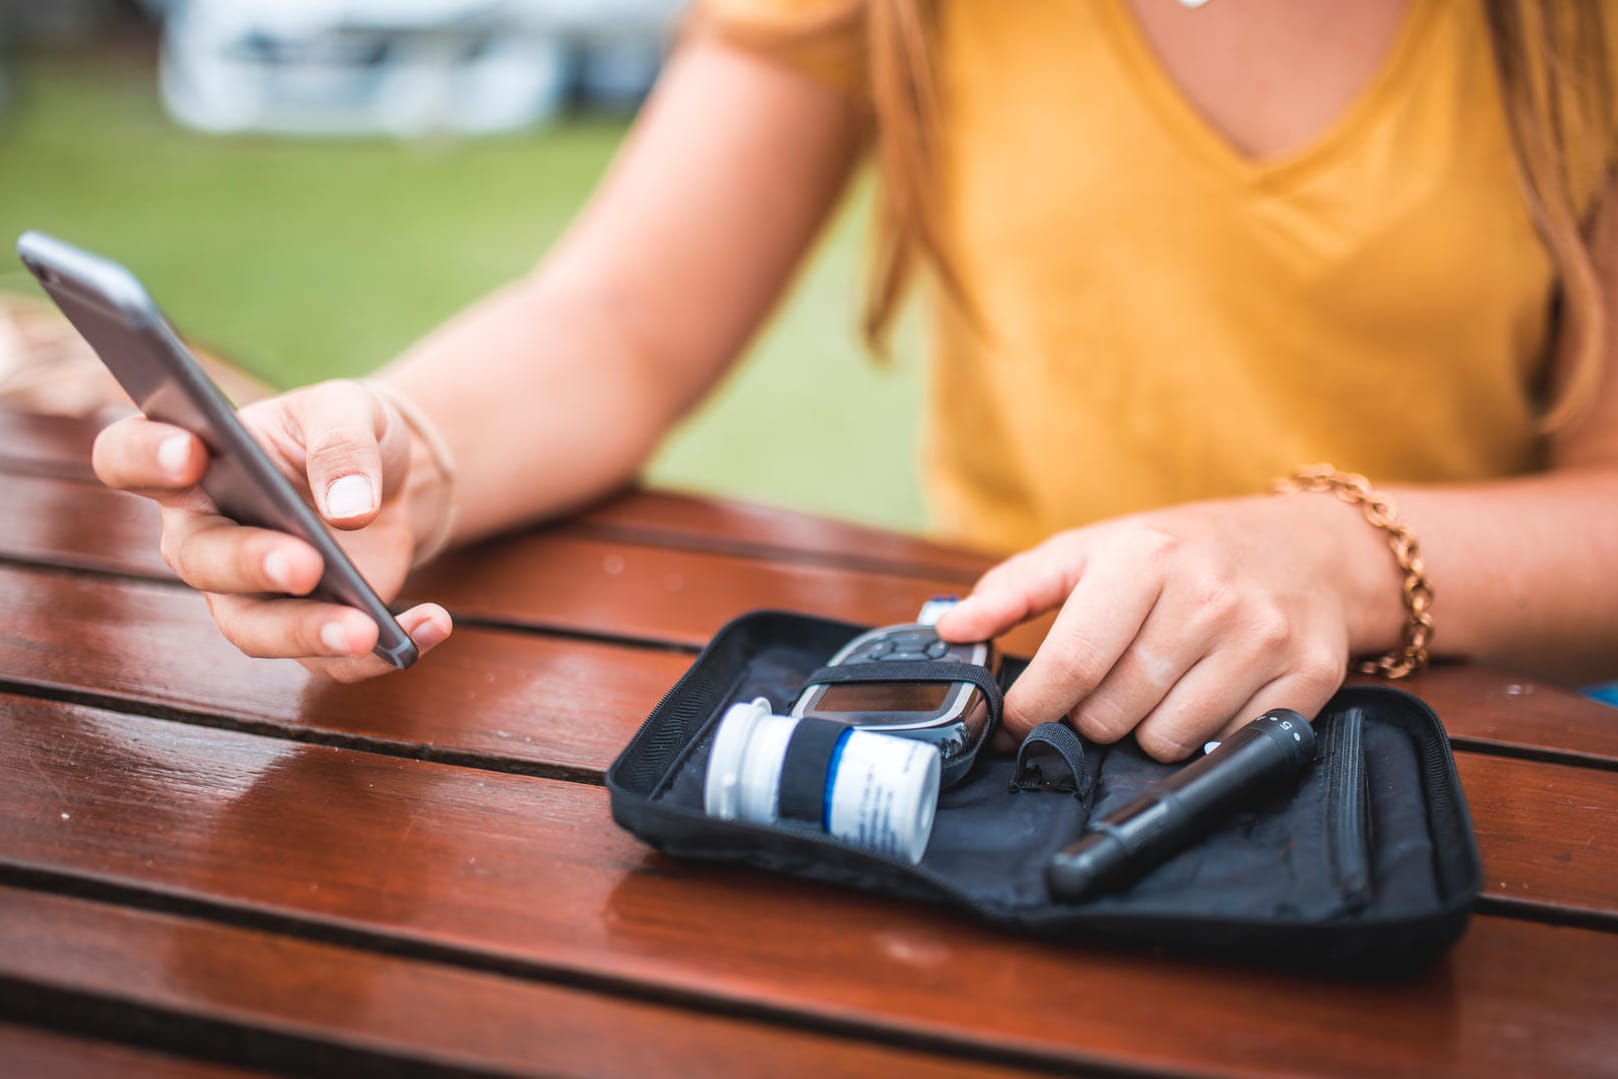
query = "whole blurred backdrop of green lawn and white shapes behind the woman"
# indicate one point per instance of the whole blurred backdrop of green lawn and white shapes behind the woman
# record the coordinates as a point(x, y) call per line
point(307, 187)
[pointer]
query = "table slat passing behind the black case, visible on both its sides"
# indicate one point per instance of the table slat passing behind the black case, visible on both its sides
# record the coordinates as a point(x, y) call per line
point(567, 708)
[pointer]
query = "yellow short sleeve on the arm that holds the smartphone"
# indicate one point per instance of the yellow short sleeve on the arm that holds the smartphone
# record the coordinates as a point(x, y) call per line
point(826, 40)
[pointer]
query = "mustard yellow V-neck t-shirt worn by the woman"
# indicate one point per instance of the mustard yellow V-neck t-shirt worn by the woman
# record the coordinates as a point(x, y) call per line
point(1164, 319)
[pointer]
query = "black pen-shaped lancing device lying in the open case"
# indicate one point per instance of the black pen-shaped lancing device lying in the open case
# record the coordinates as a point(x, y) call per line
point(1264, 756)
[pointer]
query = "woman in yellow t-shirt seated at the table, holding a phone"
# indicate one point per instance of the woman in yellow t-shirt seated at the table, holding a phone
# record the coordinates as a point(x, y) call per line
point(1179, 252)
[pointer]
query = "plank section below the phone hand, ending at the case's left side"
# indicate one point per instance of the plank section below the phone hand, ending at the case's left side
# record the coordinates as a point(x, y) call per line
point(512, 700)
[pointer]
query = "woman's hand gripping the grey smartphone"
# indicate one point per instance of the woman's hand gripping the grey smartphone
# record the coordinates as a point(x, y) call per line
point(350, 455)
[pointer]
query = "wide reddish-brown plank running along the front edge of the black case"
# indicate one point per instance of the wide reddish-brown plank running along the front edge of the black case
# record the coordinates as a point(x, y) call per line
point(533, 873)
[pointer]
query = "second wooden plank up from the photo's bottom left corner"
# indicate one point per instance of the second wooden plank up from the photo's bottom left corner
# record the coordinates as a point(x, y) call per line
point(299, 1005)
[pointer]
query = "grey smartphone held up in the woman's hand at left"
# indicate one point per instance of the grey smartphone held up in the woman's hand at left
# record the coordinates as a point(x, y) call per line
point(116, 315)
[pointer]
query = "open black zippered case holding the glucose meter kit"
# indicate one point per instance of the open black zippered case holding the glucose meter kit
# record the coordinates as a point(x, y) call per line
point(1368, 865)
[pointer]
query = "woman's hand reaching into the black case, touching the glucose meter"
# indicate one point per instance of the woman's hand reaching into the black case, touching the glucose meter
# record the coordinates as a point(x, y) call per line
point(1185, 624)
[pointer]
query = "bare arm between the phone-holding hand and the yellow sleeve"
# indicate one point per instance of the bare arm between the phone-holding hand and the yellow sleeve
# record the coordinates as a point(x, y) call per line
point(556, 389)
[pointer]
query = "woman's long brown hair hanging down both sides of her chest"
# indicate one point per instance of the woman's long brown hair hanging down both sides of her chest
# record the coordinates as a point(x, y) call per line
point(1556, 85)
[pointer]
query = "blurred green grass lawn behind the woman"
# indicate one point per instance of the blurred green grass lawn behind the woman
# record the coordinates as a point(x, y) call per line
point(305, 260)
